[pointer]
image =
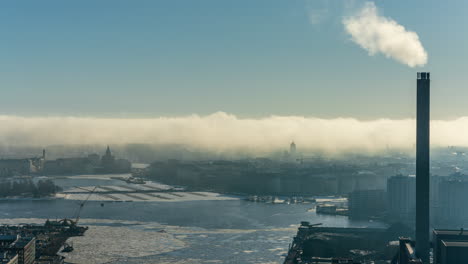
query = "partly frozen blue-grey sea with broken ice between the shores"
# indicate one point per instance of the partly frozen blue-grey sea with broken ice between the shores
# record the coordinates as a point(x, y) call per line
point(218, 230)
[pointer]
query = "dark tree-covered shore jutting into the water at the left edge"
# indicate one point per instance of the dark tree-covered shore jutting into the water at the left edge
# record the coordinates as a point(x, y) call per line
point(27, 187)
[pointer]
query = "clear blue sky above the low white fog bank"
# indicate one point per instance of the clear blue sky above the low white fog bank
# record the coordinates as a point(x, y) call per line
point(250, 58)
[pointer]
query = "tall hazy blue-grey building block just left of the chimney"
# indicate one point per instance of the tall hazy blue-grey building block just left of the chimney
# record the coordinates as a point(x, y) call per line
point(401, 198)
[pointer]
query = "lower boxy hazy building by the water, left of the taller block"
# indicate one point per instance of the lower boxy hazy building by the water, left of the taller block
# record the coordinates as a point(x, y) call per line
point(366, 203)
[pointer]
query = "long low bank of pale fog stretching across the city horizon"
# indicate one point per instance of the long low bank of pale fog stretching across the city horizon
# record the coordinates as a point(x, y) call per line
point(220, 132)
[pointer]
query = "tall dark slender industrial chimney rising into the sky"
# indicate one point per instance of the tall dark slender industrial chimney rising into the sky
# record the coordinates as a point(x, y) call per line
point(422, 166)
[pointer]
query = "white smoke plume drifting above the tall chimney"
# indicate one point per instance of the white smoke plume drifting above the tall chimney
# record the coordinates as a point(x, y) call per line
point(378, 34)
